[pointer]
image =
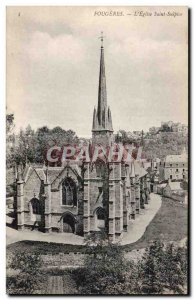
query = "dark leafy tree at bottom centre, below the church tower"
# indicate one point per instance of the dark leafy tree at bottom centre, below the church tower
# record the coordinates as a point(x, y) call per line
point(104, 269)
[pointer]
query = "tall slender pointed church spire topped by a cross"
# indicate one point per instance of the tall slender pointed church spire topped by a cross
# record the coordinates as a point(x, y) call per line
point(102, 120)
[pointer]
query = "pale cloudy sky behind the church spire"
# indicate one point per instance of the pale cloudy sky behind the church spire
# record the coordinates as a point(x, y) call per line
point(53, 56)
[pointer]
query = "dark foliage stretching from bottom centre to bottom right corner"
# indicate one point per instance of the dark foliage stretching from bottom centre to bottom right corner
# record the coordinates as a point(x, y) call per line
point(161, 270)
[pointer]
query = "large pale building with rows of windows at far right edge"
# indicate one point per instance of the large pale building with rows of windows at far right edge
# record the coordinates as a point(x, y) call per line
point(174, 167)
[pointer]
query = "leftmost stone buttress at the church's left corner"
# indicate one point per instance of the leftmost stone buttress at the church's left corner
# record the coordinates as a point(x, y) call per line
point(20, 204)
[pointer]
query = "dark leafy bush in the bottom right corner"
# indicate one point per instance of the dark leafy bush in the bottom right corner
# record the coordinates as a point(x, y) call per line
point(164, 269)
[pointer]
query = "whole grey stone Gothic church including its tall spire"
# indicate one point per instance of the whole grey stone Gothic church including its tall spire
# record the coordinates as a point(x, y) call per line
point(84, 198)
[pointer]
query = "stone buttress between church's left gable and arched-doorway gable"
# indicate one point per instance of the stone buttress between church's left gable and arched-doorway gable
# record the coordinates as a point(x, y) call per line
point(47, 213)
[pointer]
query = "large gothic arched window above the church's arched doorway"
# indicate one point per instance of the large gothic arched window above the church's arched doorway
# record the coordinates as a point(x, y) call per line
point(69, 192)
